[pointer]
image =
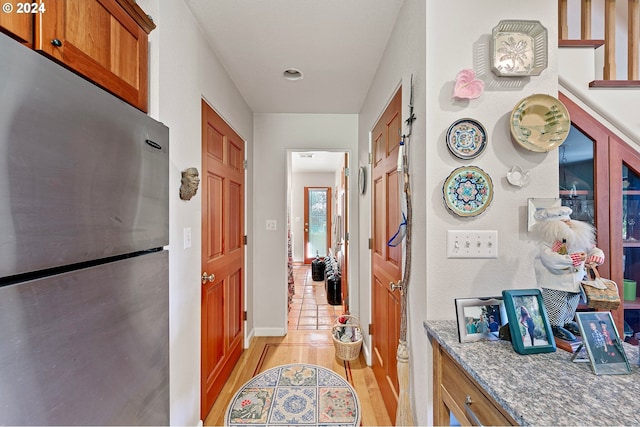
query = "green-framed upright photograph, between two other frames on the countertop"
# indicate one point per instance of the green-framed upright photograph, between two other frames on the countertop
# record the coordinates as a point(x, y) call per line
point(528, 321)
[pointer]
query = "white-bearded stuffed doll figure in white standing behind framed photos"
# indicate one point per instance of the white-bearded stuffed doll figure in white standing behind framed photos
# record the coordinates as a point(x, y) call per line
point(565, 246)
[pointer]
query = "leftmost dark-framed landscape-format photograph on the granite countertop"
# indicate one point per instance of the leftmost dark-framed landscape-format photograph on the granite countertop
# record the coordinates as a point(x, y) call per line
point(479, 318)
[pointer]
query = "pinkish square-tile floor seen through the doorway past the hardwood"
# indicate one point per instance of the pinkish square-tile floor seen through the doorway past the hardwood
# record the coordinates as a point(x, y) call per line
point(309, 308)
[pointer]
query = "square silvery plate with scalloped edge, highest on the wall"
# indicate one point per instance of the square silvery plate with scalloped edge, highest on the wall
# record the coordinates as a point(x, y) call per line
point(519, 48)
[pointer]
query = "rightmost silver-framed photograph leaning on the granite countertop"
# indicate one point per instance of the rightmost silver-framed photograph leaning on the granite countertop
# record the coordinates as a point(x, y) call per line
point(600, 337)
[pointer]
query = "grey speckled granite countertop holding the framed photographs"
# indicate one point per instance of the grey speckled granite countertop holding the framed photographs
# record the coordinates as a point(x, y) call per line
point(546, 388)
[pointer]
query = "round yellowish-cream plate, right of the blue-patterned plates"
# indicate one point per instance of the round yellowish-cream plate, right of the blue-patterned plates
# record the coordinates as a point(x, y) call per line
point(540, 123)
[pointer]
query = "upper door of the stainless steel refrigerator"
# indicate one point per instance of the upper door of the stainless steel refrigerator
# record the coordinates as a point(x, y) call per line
point(83, 175)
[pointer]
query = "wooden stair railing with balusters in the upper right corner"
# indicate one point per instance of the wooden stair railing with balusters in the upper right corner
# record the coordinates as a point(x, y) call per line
point(609, 14)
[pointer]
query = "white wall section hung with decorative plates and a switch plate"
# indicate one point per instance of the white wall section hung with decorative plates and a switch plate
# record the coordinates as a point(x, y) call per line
point(451, 278)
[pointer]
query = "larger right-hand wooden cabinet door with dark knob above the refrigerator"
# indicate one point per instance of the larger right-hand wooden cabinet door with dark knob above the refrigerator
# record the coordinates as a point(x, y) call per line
point(100, 41)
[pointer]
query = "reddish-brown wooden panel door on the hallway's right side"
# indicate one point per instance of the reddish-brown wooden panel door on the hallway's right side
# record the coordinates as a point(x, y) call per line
point(386, 260)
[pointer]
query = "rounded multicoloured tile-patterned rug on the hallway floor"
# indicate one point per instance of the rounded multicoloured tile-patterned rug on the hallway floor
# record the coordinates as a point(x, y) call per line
point(299, 394)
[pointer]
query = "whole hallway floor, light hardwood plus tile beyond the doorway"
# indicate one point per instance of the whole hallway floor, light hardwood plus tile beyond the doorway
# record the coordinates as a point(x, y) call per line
point(307, 341)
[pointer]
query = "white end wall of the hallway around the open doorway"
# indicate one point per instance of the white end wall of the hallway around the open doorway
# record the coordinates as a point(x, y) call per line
point(273, 135)
